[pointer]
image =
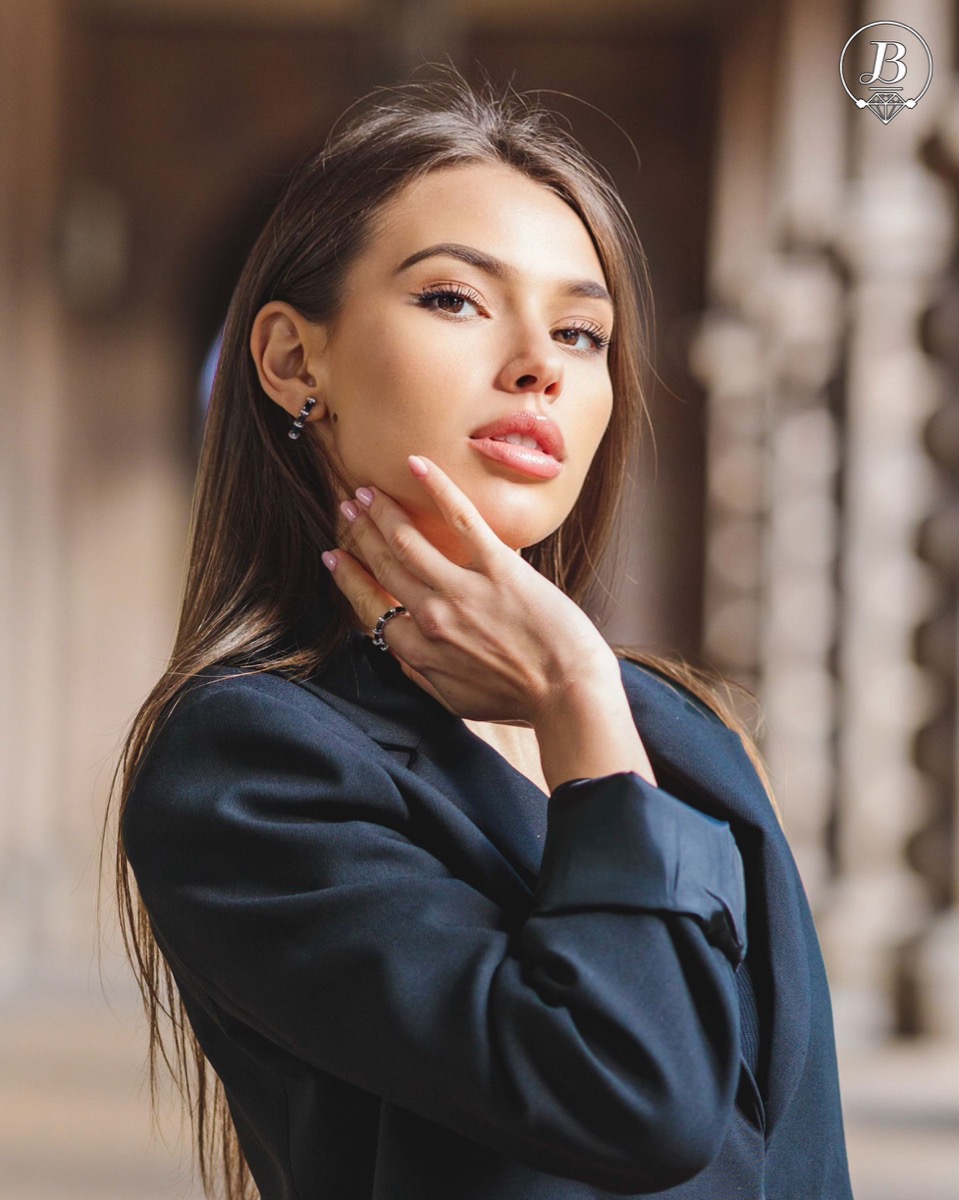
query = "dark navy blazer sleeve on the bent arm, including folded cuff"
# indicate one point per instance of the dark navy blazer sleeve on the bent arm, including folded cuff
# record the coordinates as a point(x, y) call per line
point(595, 1037)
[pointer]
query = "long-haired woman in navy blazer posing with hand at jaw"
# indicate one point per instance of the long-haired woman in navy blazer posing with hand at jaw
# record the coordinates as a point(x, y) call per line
point(467, 919)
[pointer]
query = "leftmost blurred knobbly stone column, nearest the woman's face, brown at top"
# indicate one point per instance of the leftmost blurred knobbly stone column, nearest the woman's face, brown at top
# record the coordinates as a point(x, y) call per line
point(729, 355)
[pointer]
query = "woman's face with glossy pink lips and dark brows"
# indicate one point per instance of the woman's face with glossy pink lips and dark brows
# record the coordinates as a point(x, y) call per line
point(477, 313)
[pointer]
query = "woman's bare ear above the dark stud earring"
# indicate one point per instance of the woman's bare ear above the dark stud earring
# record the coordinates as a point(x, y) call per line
point(287, 352)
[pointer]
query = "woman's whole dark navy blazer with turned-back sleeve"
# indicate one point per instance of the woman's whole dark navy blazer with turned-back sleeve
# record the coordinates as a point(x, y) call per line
point(422, 980)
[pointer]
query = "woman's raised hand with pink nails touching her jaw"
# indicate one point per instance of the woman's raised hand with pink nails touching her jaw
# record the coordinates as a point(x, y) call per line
point(493, 640)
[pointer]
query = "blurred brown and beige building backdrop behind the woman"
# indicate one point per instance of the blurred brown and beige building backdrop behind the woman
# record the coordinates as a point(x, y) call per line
point(796, 524)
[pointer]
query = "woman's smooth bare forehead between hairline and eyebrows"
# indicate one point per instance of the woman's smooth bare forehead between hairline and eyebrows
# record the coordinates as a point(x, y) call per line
point(493, 208)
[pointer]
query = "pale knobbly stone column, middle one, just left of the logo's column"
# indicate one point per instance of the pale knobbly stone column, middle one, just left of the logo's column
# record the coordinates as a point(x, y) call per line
point(800, 303)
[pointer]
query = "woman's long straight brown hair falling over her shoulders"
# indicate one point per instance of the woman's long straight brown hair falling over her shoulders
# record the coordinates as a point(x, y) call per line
point(263, 514)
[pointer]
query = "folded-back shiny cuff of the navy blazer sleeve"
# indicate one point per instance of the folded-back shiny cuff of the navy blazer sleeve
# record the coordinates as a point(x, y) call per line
point(618, 842)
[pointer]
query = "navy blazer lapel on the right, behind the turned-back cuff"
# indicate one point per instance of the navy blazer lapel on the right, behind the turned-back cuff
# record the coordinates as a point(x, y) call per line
point(706, 765)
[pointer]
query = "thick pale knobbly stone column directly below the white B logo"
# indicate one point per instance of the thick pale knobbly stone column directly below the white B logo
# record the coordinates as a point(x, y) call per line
point(897, 235)
